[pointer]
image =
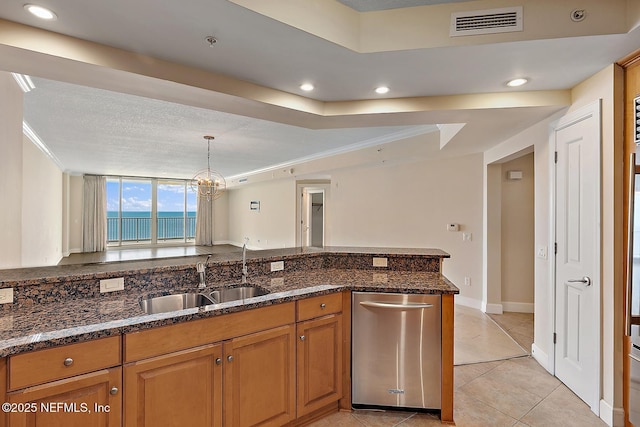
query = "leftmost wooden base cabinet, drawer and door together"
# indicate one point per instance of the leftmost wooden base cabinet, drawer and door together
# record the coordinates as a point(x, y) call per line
point(72, 385)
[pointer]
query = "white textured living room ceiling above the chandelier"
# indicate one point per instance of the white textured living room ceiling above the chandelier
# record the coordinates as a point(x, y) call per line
point(111, 133)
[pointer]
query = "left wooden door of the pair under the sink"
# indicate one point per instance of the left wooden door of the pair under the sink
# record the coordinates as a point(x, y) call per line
point(179, 389)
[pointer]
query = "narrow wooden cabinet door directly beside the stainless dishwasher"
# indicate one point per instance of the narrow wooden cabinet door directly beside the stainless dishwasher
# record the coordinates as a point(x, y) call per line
point(319, 363)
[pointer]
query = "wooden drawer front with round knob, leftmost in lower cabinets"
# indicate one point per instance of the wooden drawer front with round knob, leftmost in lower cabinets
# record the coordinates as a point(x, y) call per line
point(51, 364)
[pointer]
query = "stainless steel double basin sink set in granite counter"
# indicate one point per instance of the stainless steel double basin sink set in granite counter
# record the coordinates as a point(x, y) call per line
point(182, 301)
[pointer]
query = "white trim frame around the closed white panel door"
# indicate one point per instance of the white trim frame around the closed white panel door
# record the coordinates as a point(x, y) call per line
point(592, 109)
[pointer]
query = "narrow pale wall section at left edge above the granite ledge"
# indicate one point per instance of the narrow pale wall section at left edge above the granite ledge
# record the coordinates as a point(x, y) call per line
point(11, 106)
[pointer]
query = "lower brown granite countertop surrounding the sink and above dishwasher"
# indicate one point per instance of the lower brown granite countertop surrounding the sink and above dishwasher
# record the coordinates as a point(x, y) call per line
point(79, 319)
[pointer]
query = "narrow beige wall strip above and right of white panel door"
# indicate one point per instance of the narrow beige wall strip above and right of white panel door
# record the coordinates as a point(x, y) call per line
point(608, 86)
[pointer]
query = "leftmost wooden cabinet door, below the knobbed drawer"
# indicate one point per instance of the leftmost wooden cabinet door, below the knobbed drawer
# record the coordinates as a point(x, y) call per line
point(87, 400)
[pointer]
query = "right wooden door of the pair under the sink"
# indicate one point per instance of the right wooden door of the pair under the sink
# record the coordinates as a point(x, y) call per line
point(259, 378)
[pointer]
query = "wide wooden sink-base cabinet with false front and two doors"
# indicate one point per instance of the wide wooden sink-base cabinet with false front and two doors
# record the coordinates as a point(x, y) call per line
point(234, 370)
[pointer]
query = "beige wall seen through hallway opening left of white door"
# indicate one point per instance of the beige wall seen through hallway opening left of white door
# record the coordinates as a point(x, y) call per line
point(517, 246)
